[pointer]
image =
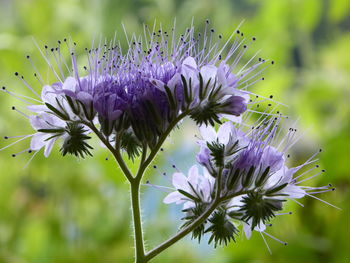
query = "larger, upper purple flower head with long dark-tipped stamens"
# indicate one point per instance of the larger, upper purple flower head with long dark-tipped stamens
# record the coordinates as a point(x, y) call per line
point(147, 89)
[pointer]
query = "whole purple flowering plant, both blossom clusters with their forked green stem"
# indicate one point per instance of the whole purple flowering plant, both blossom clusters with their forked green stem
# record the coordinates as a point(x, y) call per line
point(133, 99)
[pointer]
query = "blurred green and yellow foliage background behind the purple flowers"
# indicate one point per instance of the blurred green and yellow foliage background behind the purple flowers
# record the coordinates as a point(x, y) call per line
point(67, 210)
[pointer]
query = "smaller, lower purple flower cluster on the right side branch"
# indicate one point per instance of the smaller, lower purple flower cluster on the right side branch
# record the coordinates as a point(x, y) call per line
point(246, 173)
